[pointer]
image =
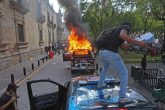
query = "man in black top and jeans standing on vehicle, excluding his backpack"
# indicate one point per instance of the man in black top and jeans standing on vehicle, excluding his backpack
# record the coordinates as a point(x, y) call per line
point(109, 56)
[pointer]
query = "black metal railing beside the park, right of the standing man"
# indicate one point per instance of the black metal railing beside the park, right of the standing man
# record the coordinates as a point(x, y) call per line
point(151, 78)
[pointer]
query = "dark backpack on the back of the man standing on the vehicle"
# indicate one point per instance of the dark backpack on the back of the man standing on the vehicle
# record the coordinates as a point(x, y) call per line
point(103, 38)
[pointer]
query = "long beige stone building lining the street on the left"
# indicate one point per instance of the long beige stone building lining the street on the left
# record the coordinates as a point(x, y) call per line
point(26, 27)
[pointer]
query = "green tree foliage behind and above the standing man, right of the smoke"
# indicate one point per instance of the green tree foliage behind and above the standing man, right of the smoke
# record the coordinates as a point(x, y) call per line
point(144, 15)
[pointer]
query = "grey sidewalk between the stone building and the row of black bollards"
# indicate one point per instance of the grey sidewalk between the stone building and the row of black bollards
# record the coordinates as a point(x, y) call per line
point(18, 72)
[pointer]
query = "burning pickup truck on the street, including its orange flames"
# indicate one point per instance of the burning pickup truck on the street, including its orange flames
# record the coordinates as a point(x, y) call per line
point(79, 52)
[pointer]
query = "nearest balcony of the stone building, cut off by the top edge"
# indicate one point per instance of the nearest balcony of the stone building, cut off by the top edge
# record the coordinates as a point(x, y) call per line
point(20, 6)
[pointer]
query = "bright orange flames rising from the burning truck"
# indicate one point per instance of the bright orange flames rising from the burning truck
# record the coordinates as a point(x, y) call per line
point(78, 44)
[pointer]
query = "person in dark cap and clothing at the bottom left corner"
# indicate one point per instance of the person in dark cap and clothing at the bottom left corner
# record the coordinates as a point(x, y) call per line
point(8, 98)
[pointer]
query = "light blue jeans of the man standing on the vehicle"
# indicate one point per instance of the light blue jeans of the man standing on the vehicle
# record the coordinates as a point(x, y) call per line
point(113, 59)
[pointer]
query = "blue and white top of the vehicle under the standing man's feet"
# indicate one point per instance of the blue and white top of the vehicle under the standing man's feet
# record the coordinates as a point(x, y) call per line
point(84, 95)
